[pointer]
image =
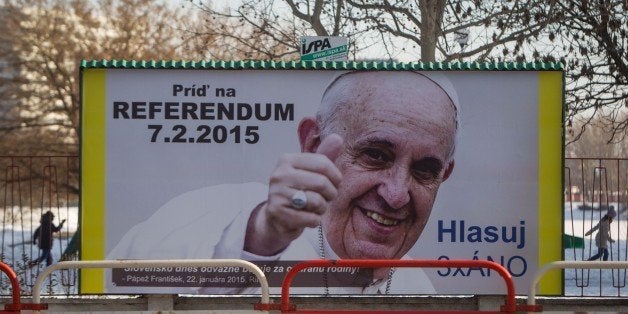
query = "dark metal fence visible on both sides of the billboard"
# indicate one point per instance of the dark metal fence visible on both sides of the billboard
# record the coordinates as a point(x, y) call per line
point(33, 185)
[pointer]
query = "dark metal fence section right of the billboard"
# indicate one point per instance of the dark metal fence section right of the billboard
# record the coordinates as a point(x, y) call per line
point(595, 187)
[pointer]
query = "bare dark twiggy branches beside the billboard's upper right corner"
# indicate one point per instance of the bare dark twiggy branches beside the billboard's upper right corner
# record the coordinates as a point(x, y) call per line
point(593, 42)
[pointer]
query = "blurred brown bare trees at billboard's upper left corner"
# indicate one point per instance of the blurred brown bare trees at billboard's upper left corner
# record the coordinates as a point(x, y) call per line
point(41, 45)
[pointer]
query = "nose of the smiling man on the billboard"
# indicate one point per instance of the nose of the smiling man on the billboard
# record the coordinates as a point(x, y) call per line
point(394, 188)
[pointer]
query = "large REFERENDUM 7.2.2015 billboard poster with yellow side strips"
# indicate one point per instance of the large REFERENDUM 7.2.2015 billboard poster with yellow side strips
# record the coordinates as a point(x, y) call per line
point(278, 166)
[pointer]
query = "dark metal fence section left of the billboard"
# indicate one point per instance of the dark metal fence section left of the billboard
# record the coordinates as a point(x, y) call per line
point(31, 186)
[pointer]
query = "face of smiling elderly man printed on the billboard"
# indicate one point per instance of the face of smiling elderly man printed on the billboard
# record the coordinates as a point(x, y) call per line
point(398, 130)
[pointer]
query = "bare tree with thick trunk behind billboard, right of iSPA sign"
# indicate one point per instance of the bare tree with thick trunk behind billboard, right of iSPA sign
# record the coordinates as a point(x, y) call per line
point(433, 26)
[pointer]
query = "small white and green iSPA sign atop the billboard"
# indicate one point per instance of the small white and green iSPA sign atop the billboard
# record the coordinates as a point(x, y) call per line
point(315, 48)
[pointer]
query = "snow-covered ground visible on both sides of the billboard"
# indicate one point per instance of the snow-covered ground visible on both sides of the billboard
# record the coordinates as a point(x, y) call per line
point(17, 249)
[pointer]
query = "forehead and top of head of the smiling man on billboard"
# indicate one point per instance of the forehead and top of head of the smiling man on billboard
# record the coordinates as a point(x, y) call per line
point(400, 101)
